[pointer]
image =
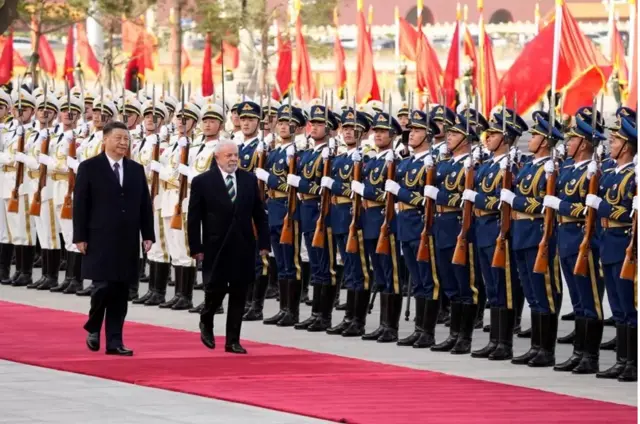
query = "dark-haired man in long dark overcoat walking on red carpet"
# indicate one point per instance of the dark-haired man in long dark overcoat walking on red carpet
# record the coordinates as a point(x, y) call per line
point(111, 209)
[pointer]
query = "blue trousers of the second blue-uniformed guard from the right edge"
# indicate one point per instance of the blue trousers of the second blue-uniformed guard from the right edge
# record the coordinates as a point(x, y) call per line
point(585, 292)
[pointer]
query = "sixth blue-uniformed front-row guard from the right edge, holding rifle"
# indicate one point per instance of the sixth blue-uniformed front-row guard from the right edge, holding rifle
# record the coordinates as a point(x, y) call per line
point(408, 188)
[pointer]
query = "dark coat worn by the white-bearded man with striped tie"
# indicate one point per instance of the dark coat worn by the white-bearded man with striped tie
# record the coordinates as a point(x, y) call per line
point(228, 241)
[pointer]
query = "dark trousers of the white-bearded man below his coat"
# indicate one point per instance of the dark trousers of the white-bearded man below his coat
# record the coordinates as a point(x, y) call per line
point(213, 298)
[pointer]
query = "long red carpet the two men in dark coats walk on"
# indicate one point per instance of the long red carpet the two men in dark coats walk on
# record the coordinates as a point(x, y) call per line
point(285, 379)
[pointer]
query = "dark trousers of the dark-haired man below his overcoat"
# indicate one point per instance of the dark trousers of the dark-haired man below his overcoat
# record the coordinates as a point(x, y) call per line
point(109, 302)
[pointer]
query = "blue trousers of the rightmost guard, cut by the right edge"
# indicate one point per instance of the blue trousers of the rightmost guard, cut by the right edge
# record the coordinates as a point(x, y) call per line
point(621, 294)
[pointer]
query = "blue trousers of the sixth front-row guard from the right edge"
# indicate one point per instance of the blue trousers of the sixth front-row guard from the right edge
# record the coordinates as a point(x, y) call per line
point(424, 280)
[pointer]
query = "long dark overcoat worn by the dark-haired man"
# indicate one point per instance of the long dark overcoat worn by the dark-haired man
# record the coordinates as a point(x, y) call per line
point(110, 218)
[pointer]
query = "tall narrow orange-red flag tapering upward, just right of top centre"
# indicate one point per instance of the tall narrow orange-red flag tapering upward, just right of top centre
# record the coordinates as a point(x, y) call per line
point(366, 79)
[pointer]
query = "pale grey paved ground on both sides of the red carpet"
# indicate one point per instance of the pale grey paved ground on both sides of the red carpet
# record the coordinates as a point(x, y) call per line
point(130, 398)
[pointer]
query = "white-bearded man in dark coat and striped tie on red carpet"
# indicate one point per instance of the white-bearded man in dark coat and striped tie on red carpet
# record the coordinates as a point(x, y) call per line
point(225, 206)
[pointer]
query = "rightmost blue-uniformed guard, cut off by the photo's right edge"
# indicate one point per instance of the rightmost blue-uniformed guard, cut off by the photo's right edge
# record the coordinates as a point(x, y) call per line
point(614, 204)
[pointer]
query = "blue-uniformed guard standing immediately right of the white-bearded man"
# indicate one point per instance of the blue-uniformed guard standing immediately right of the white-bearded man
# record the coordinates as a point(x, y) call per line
point(275, 175)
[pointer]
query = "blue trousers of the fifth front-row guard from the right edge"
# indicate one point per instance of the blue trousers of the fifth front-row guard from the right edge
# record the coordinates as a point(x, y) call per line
point(459, 282)
